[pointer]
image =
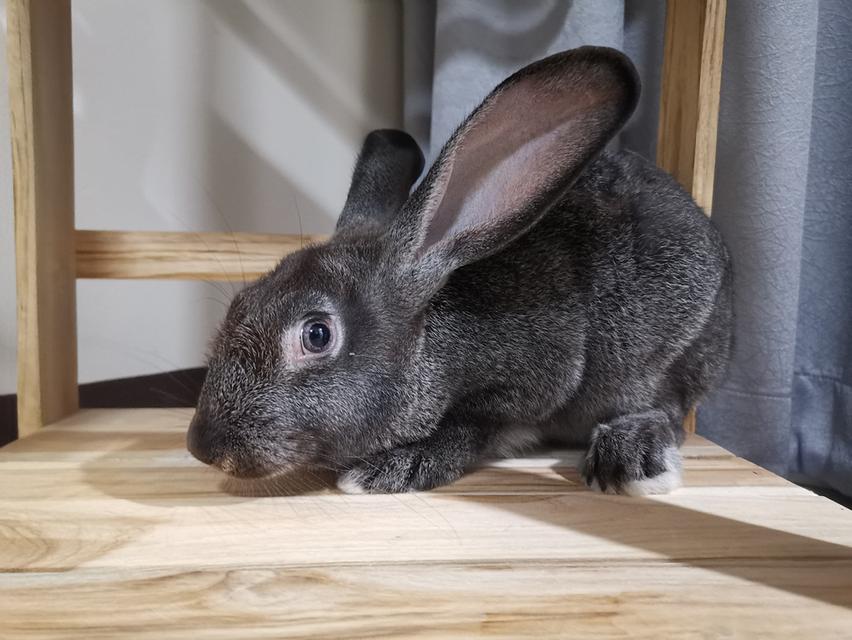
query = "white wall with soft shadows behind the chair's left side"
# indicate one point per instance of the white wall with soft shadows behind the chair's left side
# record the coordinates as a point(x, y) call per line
point(212, 115)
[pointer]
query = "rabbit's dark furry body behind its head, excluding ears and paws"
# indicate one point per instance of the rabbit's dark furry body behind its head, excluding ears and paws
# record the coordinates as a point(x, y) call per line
point(596, 307)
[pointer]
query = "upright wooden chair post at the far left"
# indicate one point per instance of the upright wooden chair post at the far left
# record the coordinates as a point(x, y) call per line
point(40, 96)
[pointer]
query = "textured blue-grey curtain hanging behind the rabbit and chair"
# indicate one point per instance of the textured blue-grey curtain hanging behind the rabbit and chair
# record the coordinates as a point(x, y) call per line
point(783, 196)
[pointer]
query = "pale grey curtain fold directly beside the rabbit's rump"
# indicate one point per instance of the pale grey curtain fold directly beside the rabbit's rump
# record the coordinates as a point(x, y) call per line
point(759, 204)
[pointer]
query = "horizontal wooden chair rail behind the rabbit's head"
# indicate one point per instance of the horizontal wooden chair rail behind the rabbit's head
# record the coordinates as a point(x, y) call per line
point(182, 256)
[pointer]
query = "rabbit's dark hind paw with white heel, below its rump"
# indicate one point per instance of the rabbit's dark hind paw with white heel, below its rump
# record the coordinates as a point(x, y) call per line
point(633, 455)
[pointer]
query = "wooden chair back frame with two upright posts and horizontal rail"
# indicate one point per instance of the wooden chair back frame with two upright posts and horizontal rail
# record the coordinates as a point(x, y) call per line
point(51, 253)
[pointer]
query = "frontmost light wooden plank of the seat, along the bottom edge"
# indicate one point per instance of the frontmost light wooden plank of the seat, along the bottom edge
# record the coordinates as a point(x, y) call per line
point(568, 599)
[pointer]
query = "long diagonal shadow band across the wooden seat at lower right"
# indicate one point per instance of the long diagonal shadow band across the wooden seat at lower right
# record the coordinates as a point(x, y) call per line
point(778, 559)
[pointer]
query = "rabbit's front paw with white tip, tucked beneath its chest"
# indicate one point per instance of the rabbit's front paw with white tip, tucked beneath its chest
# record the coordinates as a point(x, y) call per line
point(399, 470)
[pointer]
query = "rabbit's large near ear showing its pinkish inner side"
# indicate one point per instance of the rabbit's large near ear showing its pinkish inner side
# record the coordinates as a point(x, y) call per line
point(514, 156)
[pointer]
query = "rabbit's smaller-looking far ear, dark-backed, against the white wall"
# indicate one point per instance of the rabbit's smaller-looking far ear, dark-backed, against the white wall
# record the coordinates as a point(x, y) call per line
point(389, 163)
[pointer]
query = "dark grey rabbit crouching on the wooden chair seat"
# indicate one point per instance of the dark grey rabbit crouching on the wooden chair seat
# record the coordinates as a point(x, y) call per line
point(534, 286)
